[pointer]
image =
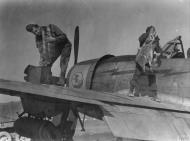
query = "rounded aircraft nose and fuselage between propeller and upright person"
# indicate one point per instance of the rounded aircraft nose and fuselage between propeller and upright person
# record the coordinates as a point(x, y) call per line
point(103, 74)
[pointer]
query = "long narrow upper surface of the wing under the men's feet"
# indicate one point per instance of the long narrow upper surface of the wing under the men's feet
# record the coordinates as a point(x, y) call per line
point(17, 88)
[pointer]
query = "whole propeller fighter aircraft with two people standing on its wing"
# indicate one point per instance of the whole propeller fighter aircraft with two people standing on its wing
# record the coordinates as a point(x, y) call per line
point(98, 88)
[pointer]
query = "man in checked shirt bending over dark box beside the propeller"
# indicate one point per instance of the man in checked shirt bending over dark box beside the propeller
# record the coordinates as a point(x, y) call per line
point(52, 43)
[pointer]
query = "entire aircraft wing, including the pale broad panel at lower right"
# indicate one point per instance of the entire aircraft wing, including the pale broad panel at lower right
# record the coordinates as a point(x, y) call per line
point(136, 118)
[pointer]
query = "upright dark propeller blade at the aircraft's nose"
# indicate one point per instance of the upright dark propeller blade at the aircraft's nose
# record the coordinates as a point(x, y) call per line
point(76, 44)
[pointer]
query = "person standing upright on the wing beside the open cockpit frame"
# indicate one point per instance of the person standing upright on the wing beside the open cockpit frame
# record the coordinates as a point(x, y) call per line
point(149, 42)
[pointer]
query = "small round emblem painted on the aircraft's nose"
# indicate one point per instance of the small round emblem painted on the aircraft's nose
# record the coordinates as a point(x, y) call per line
point(77, 80)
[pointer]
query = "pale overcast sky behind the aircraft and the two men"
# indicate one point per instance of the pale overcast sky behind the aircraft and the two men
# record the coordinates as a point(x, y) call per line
point(106, 27)
